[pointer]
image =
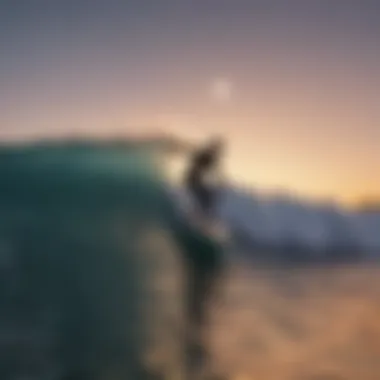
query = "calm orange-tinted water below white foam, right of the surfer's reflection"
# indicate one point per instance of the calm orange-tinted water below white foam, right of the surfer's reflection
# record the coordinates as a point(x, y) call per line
point(301, 324)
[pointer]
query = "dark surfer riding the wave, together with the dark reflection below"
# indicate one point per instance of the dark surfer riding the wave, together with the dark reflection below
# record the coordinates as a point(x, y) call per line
point(204, 264)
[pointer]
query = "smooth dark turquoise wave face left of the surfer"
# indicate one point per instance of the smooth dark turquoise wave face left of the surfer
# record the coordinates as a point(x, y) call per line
point(75, 220)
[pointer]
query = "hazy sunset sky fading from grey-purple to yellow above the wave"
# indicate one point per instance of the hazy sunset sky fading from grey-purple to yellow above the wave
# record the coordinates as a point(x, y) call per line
point(293, 85)
